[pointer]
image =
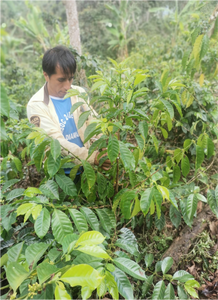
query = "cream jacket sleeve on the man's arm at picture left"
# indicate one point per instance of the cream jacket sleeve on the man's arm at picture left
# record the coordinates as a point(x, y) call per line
point(38, 116)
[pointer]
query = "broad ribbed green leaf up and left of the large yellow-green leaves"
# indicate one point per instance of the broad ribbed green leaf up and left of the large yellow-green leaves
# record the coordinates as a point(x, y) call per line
point(61, 225)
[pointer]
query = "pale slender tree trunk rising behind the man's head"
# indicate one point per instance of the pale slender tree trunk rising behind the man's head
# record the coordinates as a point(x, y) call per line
point(73, 25)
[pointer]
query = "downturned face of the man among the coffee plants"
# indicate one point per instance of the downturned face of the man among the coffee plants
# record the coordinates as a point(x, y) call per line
point(58, 83)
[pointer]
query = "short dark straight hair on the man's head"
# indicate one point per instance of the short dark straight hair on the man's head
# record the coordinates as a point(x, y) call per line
point(61, 56)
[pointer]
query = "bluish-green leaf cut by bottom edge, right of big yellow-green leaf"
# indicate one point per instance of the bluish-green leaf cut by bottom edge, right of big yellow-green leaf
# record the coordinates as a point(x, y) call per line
point(123, 284)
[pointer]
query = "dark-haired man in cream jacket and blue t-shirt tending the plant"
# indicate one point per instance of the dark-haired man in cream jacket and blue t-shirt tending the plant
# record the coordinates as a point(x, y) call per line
point(49, 110)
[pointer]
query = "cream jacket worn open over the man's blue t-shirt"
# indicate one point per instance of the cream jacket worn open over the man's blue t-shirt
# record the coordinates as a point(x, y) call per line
point(41, 112)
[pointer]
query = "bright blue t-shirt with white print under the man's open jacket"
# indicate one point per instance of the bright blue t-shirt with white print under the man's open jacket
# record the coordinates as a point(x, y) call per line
point(66, 121)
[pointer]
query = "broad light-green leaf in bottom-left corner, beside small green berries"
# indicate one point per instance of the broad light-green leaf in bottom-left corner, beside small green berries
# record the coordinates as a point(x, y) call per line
point(15, 274)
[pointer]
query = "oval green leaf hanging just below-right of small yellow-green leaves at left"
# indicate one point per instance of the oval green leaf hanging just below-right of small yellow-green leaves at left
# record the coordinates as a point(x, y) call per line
point(42, 223)
